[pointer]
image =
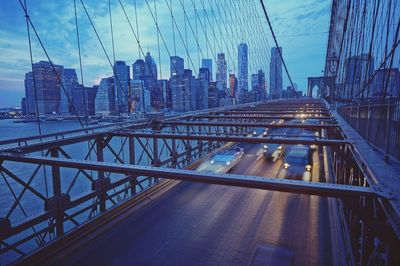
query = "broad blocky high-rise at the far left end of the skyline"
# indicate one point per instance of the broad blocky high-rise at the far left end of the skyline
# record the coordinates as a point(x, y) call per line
point(48, 88)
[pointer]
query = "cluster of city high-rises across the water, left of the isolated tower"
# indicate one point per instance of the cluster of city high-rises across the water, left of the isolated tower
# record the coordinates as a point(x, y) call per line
point(137, 89)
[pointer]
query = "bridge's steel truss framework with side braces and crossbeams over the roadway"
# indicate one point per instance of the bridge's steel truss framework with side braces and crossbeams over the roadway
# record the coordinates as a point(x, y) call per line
point(123, 160)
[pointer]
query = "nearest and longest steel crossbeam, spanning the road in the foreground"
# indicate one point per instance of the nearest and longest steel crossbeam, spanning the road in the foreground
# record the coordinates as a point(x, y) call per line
point(284, 185)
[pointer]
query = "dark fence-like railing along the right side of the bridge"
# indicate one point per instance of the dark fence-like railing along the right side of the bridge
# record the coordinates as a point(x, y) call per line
point(378, 123)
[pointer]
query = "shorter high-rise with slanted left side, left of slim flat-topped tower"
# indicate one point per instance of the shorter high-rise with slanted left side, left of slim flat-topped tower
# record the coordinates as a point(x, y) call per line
point(105, 98)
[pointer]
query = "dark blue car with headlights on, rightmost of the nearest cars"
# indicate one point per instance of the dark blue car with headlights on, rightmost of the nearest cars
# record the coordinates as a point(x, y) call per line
point(298, 160)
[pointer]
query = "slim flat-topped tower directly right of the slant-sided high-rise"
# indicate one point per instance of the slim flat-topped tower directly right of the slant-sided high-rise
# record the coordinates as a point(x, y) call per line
point(122, 83)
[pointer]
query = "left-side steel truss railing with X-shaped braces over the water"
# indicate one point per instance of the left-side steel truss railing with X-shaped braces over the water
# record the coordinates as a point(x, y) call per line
point(33, 216)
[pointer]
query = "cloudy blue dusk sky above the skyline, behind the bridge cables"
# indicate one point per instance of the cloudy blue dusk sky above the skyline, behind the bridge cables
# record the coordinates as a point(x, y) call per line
point(301, 28)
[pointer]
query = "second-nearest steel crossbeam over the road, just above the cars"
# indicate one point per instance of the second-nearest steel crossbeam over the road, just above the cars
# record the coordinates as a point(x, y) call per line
point(230, 138)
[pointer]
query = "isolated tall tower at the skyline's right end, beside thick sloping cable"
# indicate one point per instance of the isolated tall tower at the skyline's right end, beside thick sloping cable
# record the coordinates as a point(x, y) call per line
point(275, 74)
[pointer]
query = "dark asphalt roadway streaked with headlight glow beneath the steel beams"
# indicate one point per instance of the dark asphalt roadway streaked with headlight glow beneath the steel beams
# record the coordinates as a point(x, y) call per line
point(201, 224)
